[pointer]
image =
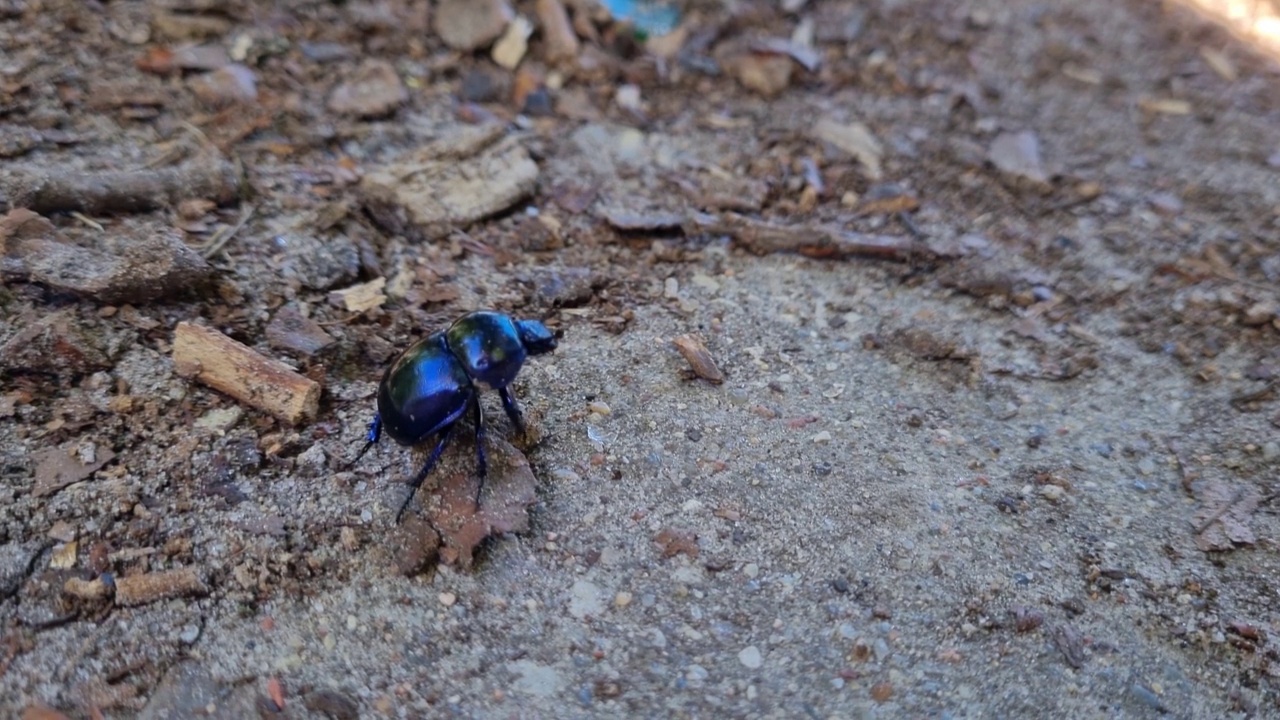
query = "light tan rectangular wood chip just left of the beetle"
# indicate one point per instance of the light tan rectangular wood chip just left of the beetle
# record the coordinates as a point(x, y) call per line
point(243, 373)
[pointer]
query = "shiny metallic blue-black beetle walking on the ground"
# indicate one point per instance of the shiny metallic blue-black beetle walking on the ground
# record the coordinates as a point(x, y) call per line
point(427, 390)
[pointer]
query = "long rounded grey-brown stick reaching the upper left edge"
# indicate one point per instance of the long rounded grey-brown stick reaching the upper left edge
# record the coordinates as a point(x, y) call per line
point(121, 192)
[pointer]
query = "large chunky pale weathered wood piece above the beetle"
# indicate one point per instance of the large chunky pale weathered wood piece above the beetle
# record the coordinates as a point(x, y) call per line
point(449, 184)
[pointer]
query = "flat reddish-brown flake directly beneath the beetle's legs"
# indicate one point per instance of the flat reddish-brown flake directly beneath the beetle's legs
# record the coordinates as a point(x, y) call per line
point(510, 490)
